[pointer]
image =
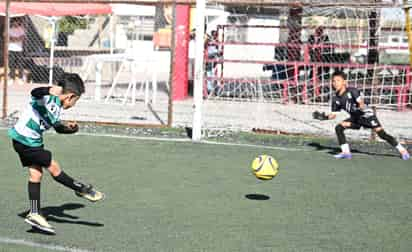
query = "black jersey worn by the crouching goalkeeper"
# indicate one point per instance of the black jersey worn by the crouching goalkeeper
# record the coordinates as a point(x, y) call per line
point(348, 101)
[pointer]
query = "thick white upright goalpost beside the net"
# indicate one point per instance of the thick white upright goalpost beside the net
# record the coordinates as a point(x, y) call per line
point(199, 73)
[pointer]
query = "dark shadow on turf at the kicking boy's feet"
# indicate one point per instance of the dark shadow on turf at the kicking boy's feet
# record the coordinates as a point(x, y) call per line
point(57, 214)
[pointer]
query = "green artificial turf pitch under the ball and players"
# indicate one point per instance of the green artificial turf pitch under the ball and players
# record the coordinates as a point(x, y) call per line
point(168, 196)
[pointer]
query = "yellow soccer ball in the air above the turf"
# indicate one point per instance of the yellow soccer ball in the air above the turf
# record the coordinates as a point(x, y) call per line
point(265, 167)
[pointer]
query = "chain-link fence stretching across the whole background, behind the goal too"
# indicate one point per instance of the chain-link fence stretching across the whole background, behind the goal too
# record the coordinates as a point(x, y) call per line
point(266, 66)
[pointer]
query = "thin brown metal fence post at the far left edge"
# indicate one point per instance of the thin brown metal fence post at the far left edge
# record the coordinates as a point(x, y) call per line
point(6, 58)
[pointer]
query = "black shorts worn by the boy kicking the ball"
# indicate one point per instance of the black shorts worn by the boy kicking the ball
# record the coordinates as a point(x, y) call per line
point(32, 156)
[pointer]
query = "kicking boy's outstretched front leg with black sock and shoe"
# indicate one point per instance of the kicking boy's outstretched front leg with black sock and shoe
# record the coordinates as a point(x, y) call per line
point(81, 189)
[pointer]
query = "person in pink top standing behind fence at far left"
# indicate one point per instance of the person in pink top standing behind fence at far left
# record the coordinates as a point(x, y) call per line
point(17, 35)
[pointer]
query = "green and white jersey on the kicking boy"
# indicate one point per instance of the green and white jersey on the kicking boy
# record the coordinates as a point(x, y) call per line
point(40, 116)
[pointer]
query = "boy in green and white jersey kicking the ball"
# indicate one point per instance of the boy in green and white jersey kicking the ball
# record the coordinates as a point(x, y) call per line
point(42, 114)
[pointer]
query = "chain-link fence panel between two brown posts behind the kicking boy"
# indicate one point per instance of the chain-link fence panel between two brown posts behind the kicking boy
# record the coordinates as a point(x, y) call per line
point(116, 49)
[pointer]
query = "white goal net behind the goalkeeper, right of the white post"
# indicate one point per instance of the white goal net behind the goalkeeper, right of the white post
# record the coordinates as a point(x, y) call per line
point(267, 67)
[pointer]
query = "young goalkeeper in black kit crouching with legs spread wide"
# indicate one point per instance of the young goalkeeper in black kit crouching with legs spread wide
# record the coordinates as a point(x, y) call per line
point(351, 100)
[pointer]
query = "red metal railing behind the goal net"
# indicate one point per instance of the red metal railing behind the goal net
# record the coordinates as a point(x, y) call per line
point(401, 90)
